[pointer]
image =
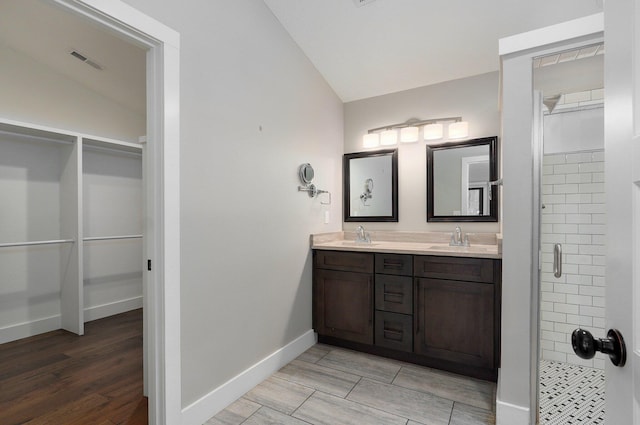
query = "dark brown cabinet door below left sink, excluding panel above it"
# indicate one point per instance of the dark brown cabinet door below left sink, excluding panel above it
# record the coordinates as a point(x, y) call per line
point(343, 305)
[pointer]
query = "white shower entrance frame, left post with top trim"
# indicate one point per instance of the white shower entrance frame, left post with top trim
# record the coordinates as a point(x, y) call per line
point(517, 403)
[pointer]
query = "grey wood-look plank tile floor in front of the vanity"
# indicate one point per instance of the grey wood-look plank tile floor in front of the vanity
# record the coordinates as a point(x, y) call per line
point(328, 385)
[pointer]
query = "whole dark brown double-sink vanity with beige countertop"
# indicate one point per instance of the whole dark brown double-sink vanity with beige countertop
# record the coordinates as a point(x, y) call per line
point(412, 298)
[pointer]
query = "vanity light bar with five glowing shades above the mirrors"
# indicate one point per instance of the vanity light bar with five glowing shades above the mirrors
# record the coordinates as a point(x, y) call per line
point(432, 129)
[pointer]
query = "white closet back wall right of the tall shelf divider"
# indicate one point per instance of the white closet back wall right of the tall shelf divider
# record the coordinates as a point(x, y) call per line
point(112, 205)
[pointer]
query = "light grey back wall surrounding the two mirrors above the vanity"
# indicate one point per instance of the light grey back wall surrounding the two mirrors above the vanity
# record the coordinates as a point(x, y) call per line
point(475, 99)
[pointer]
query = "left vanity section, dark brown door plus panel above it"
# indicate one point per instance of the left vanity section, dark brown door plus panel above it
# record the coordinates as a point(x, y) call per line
point(343, 295)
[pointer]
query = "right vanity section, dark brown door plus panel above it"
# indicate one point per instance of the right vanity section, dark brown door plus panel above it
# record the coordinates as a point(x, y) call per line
point(455, 310)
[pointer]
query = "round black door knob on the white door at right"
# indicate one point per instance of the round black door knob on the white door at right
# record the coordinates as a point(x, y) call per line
point(585, 345)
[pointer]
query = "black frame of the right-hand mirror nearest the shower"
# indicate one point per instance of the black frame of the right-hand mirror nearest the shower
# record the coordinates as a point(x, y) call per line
point(492, 142)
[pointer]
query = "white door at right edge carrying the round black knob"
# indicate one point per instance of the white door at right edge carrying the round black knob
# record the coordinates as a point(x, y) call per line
point(623, 236)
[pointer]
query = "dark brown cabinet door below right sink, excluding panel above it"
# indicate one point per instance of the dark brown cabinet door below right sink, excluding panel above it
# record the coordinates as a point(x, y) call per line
point(454, 321)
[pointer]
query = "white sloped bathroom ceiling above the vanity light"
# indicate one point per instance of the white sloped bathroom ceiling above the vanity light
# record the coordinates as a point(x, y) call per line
point(385, 46)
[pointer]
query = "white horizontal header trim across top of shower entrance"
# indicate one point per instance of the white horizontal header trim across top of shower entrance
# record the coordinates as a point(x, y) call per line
point(580, 27)
